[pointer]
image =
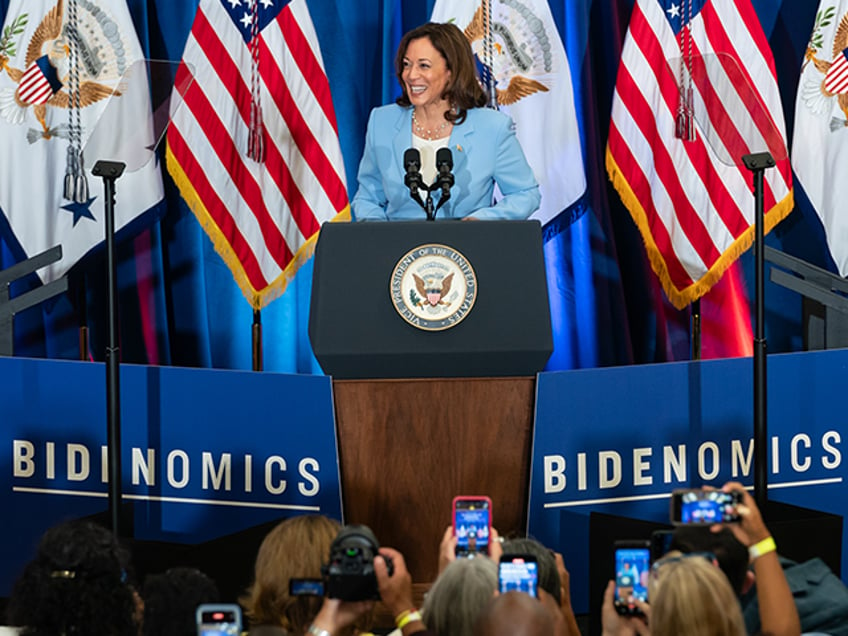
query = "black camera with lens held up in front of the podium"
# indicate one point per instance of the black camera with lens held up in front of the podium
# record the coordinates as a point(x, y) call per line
point(349, 576)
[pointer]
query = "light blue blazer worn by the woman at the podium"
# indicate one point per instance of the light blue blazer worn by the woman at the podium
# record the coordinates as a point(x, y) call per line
point(485, 151)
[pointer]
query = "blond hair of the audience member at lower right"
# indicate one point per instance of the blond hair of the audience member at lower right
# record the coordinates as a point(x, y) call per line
point(690, 595)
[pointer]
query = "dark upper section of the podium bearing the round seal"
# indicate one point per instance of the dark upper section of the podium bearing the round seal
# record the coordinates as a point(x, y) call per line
point(357, 332)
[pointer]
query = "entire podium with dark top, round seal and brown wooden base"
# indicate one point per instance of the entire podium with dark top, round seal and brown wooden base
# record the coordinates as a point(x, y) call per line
point(423, 415)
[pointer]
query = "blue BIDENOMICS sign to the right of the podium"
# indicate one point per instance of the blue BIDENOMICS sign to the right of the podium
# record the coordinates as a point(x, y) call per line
point(619, 440)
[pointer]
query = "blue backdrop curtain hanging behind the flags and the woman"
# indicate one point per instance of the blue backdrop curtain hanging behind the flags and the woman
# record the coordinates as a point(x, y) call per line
point(180, 306)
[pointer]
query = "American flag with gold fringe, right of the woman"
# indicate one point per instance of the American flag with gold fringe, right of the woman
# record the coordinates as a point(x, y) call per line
point(696, 212)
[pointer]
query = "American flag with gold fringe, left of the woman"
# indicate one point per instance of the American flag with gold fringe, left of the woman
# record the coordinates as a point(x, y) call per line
point(262, 216)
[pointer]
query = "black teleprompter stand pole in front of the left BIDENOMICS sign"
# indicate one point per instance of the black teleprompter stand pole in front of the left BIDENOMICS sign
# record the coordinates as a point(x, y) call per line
point(110, 171)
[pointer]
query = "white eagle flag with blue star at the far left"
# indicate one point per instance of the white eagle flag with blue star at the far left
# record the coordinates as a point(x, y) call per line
point(62, 64)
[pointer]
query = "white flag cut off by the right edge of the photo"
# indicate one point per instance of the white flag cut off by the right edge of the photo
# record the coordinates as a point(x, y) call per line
point(820, 141)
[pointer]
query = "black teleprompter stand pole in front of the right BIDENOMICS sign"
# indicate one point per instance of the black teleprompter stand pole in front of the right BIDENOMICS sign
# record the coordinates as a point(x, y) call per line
point(757, 163)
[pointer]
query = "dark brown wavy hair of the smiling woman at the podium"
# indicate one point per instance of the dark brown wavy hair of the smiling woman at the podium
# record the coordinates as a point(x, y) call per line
point(463, 90)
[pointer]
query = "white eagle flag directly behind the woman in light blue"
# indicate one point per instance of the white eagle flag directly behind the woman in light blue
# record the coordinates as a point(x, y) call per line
point(517, 45)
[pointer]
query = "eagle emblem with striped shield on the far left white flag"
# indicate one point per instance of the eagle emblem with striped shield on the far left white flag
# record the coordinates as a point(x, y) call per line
point(43, 80)
